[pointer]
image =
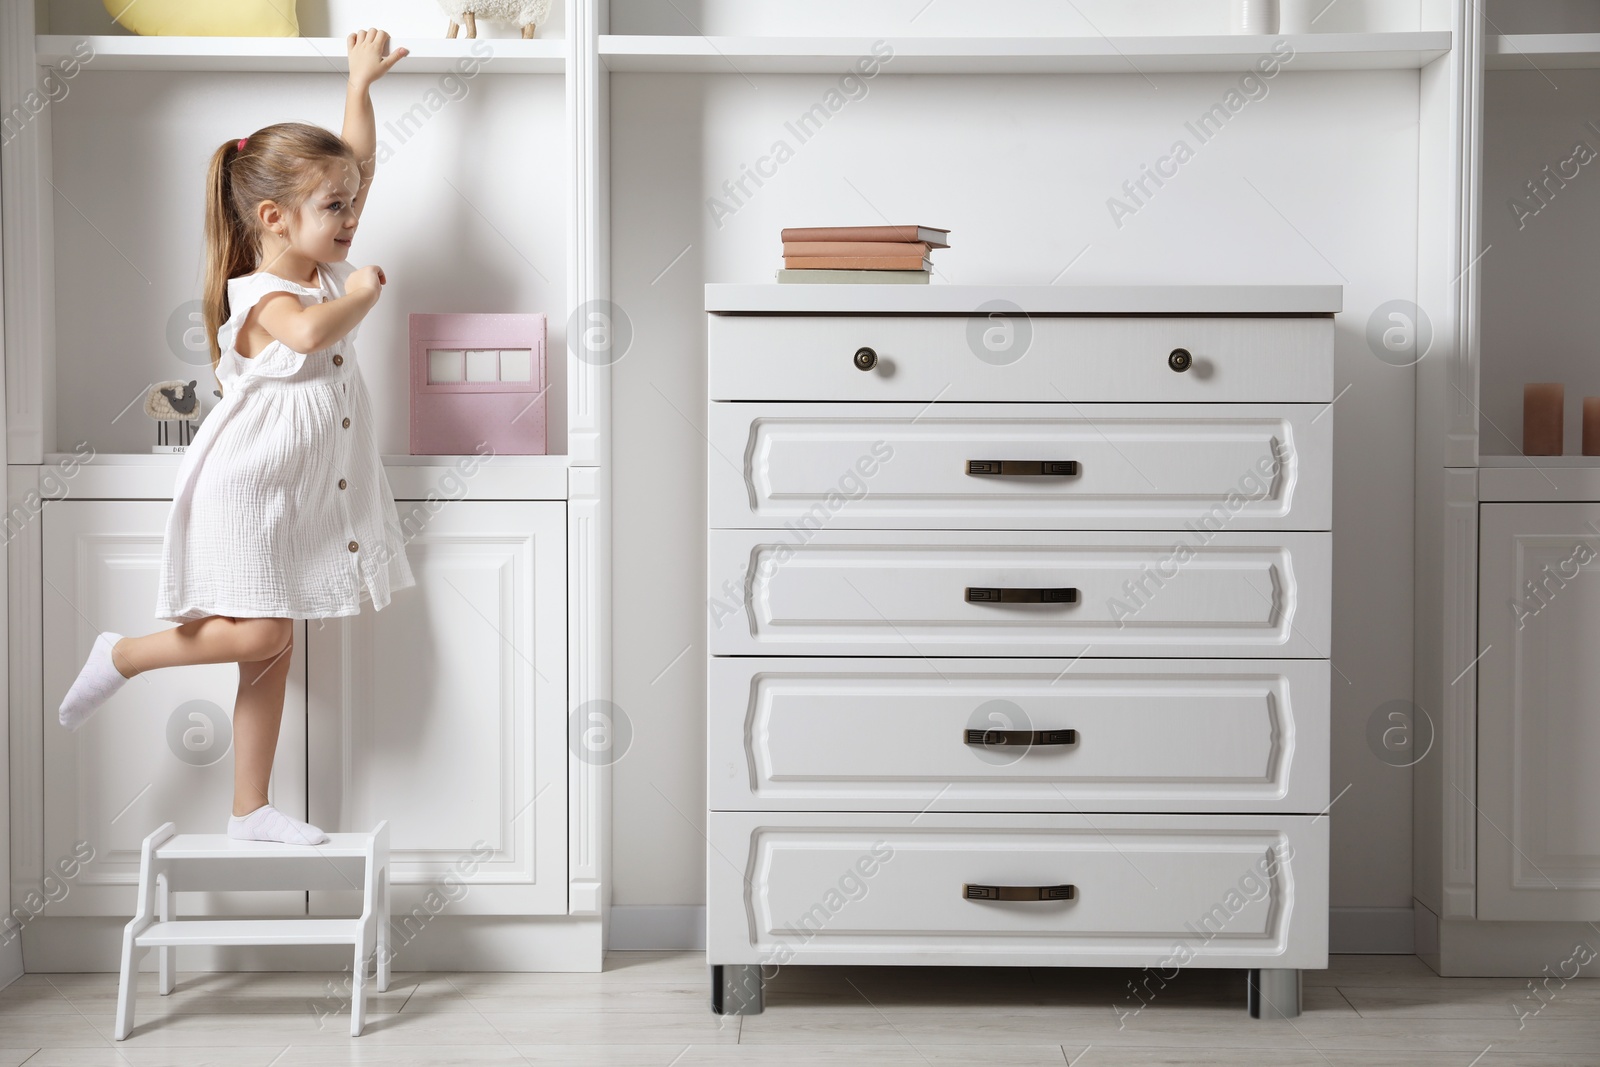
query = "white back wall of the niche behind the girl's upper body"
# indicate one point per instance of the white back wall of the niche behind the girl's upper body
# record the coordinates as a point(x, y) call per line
point(466, 215)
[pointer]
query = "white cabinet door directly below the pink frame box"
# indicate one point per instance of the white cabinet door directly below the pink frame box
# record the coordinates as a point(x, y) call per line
point(446, 714)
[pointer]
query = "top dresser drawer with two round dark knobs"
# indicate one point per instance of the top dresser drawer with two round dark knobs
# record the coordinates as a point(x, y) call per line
point(1044, 358)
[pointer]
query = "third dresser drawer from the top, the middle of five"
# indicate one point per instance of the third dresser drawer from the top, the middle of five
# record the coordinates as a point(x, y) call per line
point(954, 594)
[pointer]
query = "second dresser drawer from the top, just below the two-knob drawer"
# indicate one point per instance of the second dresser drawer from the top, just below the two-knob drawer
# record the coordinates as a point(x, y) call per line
point(905, 466)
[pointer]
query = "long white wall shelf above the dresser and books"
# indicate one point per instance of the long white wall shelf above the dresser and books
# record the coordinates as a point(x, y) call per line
point(1020, 55)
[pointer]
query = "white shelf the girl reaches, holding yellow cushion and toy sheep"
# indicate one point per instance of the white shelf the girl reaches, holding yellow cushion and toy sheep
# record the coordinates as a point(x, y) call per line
point(236, 55)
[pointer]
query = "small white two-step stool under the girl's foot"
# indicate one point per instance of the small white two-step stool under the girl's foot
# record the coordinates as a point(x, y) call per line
point(172, 863)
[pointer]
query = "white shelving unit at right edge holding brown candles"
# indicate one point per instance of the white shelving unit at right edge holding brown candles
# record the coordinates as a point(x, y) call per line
point(1505, 597)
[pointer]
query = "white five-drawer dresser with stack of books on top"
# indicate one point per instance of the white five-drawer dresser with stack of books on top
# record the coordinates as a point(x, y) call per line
point(1018, 629)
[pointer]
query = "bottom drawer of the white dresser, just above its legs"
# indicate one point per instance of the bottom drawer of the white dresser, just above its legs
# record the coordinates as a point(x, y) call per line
point(874, 889)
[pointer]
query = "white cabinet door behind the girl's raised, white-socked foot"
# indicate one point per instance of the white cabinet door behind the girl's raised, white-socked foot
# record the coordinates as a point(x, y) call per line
point(161, 749)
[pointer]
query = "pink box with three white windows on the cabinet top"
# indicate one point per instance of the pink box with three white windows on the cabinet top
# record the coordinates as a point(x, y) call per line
point(478, 380)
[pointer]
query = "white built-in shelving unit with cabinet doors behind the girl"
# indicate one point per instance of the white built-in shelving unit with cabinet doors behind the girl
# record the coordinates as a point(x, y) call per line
point(497, 142)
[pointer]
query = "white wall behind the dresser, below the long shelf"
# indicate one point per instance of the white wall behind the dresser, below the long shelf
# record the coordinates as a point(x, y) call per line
point(1313, 185)
